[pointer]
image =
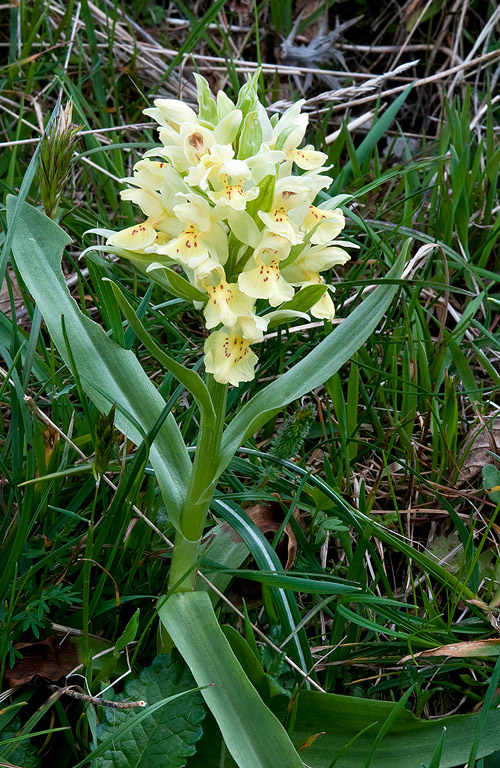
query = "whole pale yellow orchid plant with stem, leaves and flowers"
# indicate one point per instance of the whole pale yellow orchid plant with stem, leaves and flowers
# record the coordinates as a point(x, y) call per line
point(229, 223)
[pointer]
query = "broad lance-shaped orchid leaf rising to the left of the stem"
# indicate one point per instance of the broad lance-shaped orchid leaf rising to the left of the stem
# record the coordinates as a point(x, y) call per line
point(109, 373)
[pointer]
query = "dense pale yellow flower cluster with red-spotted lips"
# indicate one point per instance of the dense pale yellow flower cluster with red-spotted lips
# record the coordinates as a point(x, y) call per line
point(228, 201)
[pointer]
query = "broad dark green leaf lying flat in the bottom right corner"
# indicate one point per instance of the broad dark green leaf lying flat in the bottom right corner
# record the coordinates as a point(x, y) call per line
point(407, 743)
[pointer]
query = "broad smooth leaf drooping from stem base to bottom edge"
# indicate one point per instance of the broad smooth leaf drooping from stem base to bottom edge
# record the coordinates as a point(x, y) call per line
point(253, 735)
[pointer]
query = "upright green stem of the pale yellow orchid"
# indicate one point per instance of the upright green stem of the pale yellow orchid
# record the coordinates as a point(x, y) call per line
point(182, 576)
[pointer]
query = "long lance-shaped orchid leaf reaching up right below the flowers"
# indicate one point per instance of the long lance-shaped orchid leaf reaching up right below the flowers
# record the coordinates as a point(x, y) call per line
point(318, 366)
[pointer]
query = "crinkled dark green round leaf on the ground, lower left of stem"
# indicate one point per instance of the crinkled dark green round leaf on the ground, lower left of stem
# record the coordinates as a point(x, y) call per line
point(168, 736)
